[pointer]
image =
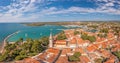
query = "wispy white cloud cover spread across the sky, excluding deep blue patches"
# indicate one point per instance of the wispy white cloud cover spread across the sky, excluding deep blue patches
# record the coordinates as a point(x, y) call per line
point(28, 10)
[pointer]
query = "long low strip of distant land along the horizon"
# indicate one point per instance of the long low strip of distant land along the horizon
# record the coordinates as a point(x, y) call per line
point(70, 23)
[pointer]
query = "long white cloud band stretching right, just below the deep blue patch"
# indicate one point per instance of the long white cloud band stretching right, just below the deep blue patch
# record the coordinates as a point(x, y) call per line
point(73, 10)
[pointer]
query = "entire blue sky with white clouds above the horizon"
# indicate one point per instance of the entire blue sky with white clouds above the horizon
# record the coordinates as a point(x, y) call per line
point(59, 10)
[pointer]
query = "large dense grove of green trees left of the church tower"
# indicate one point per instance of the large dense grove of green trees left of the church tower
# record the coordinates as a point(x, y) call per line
point(18, 51)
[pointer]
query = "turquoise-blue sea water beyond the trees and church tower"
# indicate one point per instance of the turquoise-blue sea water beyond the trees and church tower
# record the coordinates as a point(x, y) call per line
point(34, 32)
